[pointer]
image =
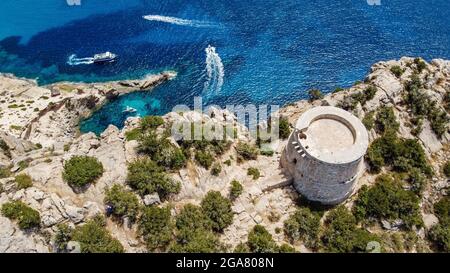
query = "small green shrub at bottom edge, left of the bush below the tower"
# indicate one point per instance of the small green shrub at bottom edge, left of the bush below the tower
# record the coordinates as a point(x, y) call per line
point(261, 241)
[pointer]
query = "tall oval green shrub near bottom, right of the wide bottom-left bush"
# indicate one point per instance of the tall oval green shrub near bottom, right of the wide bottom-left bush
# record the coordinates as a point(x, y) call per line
point(155, 225)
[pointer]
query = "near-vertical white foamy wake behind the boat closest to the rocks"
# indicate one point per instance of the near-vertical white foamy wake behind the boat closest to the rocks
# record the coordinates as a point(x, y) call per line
point(215, 71)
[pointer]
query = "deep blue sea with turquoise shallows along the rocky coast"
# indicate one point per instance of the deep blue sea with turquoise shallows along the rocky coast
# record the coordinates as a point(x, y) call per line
point(266, 51)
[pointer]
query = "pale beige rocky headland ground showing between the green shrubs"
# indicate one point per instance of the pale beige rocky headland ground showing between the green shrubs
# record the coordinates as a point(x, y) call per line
point(38, 126)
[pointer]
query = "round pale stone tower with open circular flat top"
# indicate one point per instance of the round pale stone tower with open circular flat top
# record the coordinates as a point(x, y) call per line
point(324, 154)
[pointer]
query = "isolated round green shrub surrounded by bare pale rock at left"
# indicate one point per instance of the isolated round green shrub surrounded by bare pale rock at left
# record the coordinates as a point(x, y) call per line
point(80, 171)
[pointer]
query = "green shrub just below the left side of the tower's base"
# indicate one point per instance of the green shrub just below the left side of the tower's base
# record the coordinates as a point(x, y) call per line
point(303, 225)
